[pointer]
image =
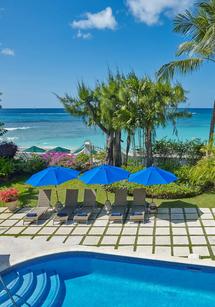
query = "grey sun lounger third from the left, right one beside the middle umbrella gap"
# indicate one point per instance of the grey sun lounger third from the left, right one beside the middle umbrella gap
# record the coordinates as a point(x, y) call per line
point(83, 214)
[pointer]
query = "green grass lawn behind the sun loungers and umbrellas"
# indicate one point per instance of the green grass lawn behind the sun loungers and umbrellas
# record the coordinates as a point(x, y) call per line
point(29, 195)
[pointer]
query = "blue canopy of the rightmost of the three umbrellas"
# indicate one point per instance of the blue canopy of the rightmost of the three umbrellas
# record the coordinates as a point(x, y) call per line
point(152, 176)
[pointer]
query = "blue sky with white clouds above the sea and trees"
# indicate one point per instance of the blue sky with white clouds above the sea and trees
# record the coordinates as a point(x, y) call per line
point(47, 46)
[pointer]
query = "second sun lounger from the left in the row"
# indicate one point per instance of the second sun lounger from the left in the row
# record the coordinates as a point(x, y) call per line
point(67, 211)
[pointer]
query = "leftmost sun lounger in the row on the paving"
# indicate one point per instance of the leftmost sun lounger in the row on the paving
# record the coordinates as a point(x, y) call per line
point(43, 204)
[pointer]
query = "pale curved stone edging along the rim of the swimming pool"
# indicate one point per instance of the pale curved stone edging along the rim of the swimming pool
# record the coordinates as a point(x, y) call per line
point(18, 259)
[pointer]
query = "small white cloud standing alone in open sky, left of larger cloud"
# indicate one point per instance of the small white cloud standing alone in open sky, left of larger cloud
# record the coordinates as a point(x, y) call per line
point(101, 20)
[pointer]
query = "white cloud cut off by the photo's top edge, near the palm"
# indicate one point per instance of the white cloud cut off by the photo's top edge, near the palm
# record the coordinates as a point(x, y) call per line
point(150, 11)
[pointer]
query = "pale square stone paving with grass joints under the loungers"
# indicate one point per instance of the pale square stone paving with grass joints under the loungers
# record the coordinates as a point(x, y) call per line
point(169, 232)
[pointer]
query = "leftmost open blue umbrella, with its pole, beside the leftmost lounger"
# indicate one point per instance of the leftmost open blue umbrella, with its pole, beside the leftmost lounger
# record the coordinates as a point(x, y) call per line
point(53, 175)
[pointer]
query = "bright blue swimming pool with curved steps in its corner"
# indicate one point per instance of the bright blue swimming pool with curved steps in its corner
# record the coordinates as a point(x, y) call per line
point(92, 279)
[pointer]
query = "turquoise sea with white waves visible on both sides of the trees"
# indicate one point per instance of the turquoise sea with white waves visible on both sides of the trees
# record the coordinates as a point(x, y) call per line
point(51, 127)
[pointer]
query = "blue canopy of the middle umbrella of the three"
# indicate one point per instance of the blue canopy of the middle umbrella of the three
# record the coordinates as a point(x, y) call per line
point(104, 174)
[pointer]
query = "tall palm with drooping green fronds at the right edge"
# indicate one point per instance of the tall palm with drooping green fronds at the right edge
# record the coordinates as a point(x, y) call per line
point(199, 48)
